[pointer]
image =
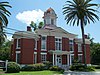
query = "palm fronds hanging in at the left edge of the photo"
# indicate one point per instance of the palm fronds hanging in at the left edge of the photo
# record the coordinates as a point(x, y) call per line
point(3, 19)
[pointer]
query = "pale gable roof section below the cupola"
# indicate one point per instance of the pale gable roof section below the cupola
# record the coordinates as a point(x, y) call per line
point(57, 32)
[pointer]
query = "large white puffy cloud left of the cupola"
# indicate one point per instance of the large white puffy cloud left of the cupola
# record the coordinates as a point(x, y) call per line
point(28, 16)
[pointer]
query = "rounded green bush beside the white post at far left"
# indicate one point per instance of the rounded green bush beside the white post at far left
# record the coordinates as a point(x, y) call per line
point(13, 67)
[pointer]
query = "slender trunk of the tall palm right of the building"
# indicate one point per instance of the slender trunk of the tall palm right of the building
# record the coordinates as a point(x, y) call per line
point(83, 40)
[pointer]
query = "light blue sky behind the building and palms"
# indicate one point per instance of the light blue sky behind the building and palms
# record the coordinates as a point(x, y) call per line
point(20, 6)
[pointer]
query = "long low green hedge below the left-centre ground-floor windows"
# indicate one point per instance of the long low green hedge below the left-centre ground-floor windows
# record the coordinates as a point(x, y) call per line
point(33, 67)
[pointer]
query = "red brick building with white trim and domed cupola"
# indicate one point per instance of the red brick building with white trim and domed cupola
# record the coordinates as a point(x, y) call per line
point(50, 43)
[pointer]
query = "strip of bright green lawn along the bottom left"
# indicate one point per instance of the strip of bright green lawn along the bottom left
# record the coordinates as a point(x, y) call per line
point(34, 73)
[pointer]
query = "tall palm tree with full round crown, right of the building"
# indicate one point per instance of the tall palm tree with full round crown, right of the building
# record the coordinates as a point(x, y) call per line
point(80, 12)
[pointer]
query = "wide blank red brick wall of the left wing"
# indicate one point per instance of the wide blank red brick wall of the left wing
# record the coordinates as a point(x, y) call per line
point(27, 46)
